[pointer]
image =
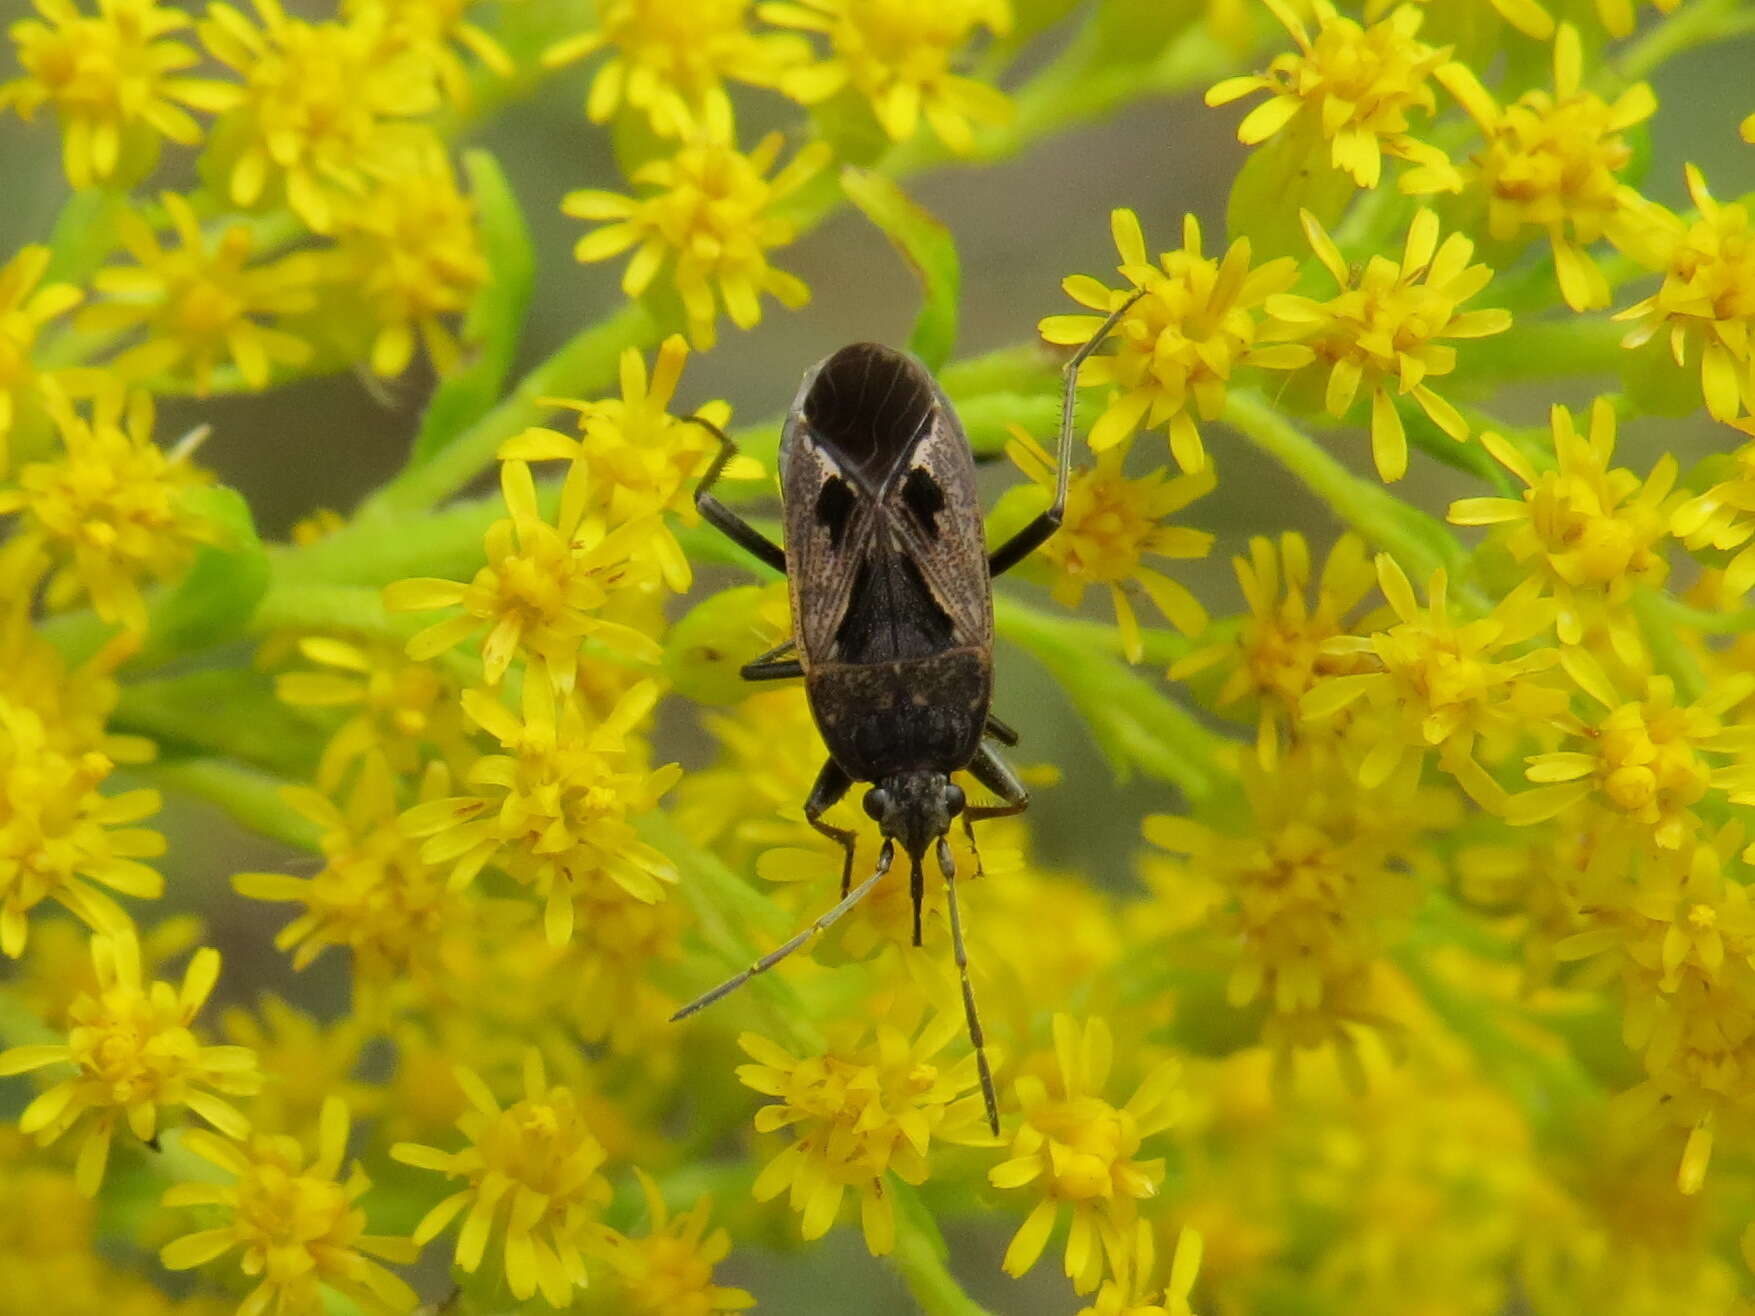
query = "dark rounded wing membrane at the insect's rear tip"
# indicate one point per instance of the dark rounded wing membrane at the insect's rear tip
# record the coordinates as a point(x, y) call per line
point(868, 406)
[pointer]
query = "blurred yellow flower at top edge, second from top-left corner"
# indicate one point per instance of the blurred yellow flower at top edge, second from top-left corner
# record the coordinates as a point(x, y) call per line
point(324, 108)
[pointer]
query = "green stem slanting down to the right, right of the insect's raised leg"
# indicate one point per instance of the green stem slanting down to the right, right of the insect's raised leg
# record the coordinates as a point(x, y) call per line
point(1421, 543)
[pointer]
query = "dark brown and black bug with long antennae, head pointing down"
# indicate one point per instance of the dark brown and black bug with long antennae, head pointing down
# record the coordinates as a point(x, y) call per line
point(892, 612)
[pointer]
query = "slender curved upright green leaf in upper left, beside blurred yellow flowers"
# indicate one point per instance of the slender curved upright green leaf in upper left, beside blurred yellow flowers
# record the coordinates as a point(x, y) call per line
point(494, 320)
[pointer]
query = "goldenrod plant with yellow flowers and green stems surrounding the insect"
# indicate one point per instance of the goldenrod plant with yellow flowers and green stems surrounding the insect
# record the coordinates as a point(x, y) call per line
point(1417, 968)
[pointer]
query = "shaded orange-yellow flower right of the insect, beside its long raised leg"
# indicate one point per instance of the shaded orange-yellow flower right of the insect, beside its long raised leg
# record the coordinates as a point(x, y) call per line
point(1112, 524)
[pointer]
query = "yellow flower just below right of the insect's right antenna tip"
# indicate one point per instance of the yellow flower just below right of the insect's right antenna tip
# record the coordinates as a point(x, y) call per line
point(1073, 1148)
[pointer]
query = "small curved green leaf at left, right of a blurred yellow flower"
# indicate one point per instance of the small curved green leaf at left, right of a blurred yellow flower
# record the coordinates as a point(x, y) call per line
point(211, 604)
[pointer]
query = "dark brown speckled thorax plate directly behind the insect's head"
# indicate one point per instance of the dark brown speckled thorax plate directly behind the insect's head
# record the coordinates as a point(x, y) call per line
point(905, 717)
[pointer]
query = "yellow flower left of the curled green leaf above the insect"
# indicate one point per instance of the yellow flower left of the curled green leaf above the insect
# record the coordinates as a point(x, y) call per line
point(708, 220)
